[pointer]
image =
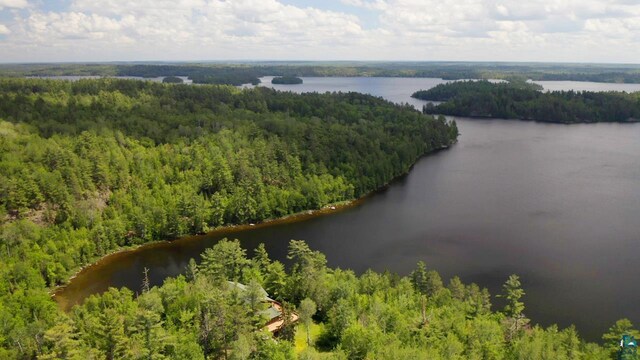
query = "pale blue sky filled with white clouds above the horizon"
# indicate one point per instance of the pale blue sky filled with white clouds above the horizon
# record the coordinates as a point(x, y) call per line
point(599, 31)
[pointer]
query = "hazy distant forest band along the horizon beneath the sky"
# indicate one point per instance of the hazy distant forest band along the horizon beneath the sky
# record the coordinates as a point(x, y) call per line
point(250, 72)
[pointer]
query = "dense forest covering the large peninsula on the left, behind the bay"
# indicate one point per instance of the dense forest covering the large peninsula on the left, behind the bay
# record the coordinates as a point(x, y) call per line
point(92, 166)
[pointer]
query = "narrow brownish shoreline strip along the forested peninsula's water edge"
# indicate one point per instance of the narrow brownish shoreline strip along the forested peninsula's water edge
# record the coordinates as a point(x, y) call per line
point(328, 209)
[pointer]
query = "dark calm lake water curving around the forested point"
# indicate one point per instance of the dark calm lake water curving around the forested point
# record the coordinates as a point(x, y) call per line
point(557, 204)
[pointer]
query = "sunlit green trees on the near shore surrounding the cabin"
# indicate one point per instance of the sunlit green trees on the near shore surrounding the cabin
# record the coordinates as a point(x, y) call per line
point(199, 315)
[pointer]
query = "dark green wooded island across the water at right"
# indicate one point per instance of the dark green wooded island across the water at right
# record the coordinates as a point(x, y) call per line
point(515, 101)
